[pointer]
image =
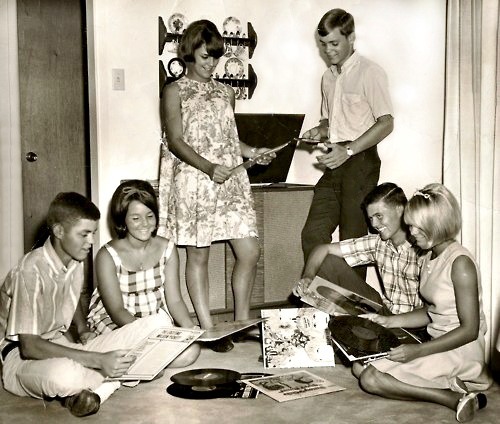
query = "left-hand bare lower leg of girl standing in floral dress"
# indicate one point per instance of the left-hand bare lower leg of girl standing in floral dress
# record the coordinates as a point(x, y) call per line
point(198, 284)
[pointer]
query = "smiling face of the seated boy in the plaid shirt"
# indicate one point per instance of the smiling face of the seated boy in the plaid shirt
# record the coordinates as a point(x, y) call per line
point(387, 220)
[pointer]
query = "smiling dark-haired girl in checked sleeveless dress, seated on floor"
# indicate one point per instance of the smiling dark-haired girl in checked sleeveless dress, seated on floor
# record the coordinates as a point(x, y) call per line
point(138, 272)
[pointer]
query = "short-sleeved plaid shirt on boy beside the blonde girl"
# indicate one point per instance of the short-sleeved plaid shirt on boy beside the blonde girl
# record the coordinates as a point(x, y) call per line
point(398, 268)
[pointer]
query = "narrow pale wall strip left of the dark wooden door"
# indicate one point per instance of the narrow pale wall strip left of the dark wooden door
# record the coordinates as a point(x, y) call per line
point(11, 217)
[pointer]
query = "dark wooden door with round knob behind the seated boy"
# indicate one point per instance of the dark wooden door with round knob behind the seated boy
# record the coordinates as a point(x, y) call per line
point(53, 106)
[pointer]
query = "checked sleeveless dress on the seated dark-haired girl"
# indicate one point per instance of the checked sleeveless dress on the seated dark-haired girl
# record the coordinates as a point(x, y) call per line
point(143, 292)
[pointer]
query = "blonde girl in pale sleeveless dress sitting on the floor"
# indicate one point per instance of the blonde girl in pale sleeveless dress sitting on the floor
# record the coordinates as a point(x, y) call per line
point(449, 369)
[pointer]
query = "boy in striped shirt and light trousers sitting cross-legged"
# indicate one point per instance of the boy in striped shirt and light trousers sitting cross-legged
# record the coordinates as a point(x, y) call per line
point(39, 300)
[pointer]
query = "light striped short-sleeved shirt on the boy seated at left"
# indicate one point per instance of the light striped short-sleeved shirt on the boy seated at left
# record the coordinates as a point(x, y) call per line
point(39, 296)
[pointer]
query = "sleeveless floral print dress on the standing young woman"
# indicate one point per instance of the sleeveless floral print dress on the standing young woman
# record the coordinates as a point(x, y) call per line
point(194, 210)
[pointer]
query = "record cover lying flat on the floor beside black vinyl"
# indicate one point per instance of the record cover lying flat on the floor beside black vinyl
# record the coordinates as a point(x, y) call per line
point(293, 385)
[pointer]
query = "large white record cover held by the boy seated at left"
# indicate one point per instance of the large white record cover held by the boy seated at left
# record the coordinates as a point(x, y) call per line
point(157, 350)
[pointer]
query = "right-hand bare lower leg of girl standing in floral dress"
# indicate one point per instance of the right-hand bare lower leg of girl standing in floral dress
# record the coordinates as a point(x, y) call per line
point(247, 252)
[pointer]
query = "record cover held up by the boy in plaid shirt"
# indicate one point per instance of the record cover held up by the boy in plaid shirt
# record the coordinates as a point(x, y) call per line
point(333, 299)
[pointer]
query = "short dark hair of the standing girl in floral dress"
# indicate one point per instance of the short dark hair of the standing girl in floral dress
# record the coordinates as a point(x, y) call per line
point(199, 33)
